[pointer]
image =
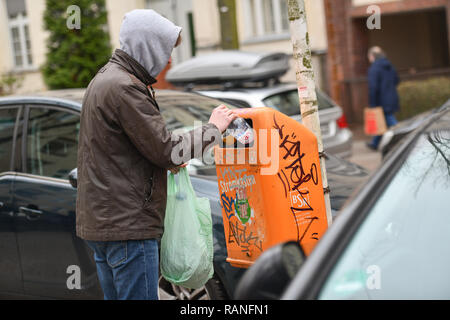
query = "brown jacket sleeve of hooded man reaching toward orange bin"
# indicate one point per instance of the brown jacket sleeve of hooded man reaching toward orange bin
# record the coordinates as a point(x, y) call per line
point(145, 127)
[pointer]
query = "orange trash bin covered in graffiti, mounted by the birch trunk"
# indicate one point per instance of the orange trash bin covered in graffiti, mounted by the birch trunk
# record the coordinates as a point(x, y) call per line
point(271, 190)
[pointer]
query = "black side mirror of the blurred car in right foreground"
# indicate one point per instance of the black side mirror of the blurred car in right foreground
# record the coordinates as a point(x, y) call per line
point(271, 273)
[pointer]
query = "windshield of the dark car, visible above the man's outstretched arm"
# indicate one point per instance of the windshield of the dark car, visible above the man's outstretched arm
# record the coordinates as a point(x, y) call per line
point(181, 111)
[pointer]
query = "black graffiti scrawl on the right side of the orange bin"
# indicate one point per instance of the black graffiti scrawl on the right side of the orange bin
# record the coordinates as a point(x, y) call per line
point(294, 177)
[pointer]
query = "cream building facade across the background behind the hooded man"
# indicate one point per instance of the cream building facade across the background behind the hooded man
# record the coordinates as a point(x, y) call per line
point(262, 26)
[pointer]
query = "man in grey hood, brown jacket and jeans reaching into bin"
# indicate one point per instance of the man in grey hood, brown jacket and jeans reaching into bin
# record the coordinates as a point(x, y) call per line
point(124, 153)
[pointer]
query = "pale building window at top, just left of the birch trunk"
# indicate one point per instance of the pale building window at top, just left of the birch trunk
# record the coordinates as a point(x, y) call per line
point(265, 18)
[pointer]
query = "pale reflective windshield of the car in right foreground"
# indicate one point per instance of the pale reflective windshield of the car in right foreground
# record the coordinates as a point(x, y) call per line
point(401, 250)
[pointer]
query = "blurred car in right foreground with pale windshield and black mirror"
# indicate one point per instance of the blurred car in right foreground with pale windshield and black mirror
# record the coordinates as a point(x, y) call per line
point(391, 240)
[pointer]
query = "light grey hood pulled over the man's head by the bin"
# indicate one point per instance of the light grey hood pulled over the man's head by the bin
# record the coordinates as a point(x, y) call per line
point(149, 38)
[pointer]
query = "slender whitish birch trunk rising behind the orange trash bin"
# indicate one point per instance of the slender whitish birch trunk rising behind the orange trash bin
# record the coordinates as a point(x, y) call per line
point(306, 84)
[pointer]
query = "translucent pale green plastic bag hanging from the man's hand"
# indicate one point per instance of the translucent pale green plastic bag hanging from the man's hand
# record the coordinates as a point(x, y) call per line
point(187, 242)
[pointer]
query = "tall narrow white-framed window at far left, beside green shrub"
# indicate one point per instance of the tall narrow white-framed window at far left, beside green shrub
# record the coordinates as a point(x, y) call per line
point(19, 34)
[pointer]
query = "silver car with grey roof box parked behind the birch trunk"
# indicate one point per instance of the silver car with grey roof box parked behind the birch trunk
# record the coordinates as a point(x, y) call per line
point(249, 80)
